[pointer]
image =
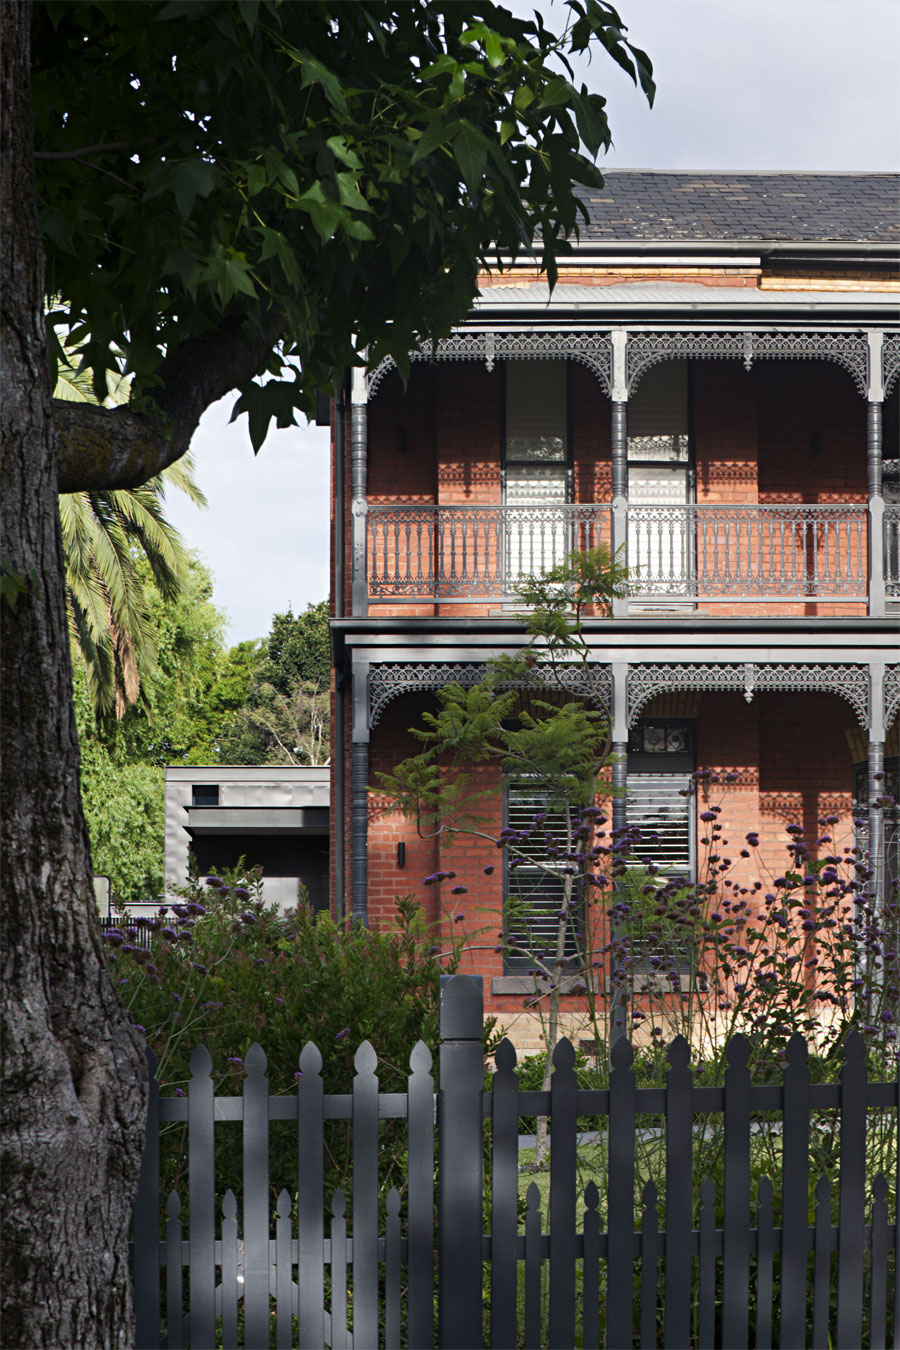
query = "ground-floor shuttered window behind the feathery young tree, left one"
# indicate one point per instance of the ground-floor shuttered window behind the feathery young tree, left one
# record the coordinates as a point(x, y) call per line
point(534, 897)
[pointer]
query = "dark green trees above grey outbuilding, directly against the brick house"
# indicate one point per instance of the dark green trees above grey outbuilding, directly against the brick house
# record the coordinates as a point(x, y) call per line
point(287, 718)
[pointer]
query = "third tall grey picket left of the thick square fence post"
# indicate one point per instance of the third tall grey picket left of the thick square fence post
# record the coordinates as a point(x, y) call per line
point(311, 1274)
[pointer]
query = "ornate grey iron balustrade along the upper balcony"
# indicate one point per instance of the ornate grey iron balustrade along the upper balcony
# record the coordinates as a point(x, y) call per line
point(701, 553)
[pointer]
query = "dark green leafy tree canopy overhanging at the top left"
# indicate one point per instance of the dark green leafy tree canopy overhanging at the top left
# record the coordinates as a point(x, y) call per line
point(327, 173)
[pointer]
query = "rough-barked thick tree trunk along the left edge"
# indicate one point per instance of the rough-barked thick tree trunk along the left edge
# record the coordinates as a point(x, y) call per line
point(75, 1091)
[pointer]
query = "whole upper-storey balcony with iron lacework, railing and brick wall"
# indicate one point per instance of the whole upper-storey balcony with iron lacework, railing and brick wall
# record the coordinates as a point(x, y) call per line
point(727, 488)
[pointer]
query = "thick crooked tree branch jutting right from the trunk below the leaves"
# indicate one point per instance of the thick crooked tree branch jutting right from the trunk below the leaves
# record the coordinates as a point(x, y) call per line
point(118, 448)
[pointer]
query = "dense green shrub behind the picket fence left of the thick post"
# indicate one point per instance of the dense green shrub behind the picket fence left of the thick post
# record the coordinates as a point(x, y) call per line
point(226, 971)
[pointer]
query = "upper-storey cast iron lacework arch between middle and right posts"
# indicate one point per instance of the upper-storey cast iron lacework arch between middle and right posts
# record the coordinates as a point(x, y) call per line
point(648, 349)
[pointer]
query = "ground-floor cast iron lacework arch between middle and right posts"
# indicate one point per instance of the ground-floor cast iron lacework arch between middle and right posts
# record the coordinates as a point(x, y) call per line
point(851, 682)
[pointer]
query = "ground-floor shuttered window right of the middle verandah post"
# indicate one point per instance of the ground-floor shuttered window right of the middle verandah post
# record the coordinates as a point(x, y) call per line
point(660, 765)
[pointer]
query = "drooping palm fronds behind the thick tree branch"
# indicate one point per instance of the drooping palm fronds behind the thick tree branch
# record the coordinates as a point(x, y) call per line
point(105, 534)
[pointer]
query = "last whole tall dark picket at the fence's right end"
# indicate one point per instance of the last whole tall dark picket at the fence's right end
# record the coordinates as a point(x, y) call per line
point(852, 1193)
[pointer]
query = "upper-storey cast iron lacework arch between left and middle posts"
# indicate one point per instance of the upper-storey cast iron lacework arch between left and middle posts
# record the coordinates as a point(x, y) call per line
point(593, 350)
